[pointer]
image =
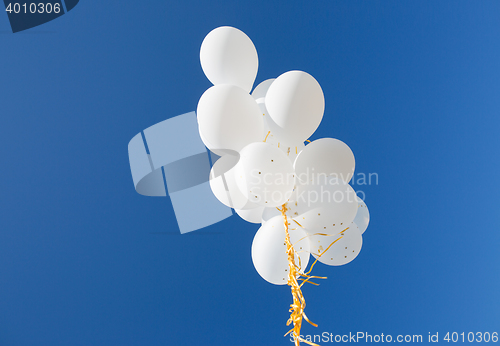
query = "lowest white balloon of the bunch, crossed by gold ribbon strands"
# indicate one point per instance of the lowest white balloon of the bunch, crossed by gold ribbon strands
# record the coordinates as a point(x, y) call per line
point(269, 250)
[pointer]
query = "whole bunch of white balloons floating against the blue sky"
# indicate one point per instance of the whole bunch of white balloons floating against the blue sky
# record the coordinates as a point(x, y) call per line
point(265, 171)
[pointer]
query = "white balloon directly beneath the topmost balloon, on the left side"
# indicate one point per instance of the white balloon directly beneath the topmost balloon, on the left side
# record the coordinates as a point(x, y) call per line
point(229, 118)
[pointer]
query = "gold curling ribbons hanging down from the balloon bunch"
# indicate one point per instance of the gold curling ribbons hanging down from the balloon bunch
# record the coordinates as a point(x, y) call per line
point(299, 303)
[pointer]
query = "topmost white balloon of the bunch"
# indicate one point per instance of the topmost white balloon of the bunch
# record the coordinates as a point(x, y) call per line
point(228, 56)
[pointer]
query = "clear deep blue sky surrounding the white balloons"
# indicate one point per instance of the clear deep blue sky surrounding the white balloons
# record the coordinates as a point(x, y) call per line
point(412, 87)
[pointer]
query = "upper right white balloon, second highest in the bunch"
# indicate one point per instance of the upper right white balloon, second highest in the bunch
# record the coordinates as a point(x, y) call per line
point(296, 104)
